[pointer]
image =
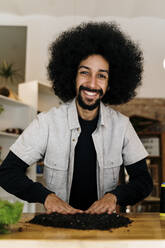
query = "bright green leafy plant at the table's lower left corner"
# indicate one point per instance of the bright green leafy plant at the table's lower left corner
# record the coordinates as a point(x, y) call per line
point(10, 213)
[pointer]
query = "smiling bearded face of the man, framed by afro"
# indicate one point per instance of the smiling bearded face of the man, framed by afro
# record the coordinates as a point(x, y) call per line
point(91, 81)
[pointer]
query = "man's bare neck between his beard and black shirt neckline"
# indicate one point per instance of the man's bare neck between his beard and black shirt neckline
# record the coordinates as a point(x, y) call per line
point(87, 114)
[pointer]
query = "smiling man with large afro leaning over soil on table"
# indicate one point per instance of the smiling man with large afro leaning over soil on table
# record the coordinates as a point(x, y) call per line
point(84, 142)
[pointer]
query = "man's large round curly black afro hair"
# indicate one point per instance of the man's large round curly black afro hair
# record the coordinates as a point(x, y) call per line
point(123, 55)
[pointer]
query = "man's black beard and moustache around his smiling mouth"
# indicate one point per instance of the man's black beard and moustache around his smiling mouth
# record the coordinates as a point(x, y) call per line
point(89, 106)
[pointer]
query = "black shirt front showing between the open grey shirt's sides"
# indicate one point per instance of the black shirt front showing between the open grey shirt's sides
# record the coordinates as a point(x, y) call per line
point(84, 187)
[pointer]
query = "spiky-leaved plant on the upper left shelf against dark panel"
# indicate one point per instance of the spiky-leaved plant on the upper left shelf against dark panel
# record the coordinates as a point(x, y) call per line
point(8, 72)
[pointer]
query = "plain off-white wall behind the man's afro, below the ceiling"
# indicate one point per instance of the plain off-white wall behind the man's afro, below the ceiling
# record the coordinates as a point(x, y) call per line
point(149, 32)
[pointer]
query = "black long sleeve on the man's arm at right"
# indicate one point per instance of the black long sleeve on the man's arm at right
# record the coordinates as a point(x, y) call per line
point(140, 185)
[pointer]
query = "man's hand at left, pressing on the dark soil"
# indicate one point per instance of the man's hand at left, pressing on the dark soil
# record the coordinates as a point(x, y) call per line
point(54, 204)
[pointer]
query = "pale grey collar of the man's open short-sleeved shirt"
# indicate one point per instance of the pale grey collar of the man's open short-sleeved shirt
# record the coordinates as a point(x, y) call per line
point(73, 115)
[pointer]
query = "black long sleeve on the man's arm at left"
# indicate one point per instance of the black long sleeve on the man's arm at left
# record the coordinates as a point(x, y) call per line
point(14, 180)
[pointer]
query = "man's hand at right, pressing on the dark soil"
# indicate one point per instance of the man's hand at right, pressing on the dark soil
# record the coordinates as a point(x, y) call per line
point(107, 204)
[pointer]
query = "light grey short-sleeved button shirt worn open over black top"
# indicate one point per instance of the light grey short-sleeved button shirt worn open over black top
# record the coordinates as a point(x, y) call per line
point(53, 136)
